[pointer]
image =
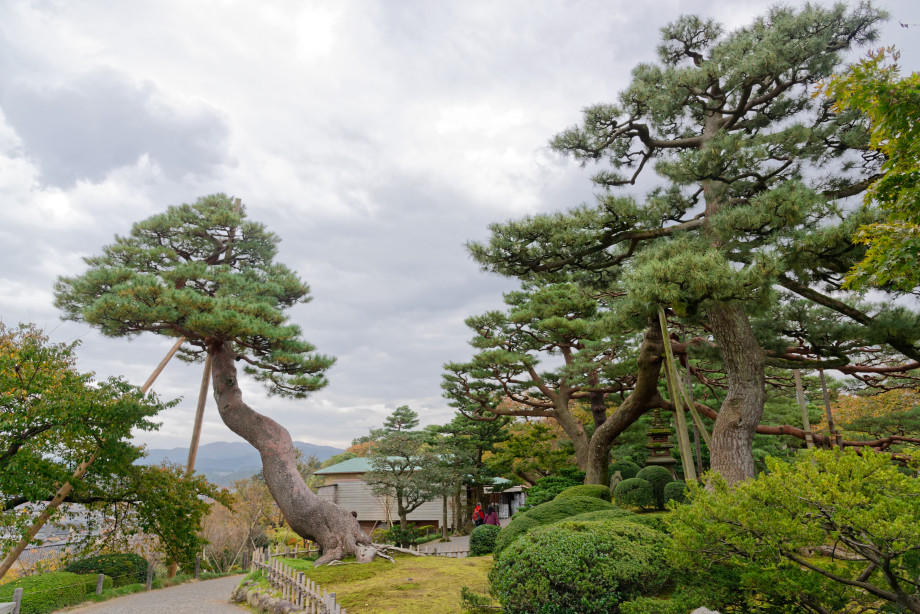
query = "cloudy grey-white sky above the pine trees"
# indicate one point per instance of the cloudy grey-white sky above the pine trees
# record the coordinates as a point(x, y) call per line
point(375, 137)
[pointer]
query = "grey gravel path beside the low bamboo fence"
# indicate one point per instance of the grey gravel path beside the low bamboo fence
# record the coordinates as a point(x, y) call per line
point(207, 597)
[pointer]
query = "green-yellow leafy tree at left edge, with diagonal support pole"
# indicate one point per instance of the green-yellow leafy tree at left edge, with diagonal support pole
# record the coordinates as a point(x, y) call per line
point(54, 417)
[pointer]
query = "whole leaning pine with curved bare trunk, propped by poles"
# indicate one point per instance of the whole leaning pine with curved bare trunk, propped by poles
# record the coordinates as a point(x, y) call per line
point(206, 273)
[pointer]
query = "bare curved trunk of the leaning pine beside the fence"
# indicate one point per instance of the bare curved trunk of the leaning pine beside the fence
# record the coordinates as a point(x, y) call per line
point(332, 527)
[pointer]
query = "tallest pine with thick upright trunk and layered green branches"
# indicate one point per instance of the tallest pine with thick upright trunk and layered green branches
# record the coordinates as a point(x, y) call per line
point(750, 169)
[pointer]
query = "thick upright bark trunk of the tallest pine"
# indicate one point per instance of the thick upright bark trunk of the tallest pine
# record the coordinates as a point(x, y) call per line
point(733, 434)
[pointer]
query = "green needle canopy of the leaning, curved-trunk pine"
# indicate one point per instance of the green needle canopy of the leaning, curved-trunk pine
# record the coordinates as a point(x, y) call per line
point(203, 272)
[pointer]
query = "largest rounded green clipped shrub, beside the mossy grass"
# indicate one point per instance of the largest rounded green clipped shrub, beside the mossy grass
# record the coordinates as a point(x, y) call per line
point(580, 568)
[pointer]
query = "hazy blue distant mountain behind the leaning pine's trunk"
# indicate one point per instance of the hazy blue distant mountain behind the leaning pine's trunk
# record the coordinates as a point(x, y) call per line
point(223, 462)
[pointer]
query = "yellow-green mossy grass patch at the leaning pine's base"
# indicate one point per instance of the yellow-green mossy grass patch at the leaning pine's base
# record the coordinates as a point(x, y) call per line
point(413, 585)
